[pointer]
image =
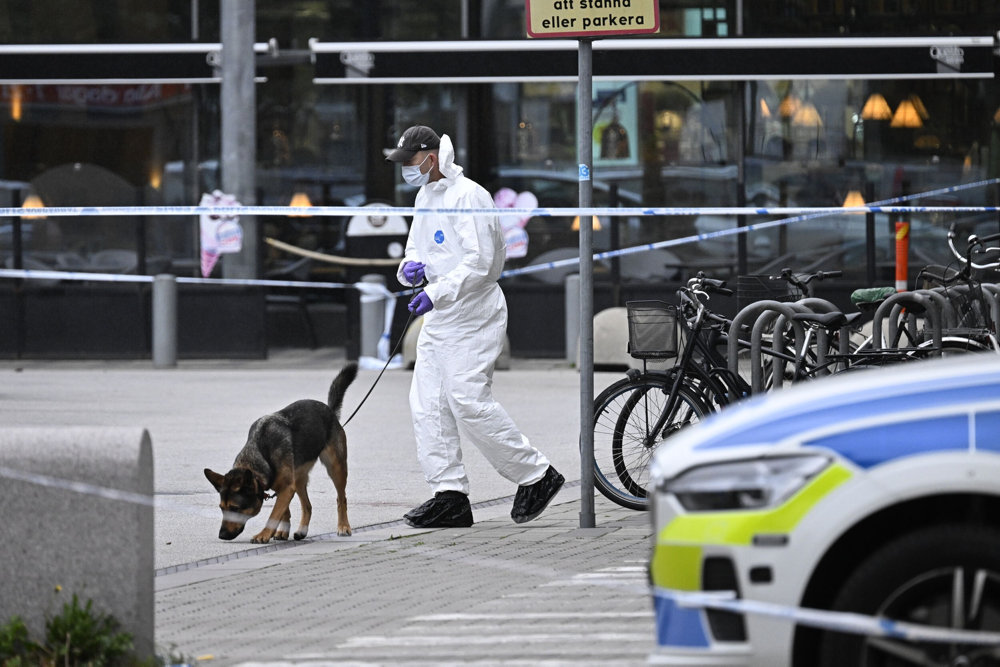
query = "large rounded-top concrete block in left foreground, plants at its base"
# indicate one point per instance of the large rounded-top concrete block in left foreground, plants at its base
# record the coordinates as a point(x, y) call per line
point(77, 538)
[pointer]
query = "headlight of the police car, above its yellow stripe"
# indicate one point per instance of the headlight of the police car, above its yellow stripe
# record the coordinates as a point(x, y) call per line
point(738, 485)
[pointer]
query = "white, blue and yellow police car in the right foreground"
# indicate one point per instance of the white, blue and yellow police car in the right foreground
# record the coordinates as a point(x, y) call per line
point(875, 492)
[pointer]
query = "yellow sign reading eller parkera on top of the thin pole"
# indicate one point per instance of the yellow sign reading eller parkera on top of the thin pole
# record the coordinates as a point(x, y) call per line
point(592, 18)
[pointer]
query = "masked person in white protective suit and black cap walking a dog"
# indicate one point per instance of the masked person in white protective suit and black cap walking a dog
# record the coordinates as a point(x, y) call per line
point(456, 259)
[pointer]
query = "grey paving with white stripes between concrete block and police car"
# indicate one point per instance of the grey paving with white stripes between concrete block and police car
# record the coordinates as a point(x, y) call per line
point(542, 593)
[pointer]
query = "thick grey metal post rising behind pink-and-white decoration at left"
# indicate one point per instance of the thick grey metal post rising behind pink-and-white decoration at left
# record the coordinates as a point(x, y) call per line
point(239, 127)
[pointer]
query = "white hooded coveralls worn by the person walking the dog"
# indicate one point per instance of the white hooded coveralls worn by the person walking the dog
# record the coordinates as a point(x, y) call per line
point(462, 336)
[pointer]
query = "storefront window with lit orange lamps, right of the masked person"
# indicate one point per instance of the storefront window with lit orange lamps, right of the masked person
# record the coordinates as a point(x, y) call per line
point(809, 143)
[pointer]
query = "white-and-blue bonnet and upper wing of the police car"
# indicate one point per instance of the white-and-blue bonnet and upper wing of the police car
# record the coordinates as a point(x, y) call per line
point(866, 416)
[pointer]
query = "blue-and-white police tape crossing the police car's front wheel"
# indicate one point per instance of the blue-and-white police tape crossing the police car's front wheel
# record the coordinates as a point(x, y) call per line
point(824, 619)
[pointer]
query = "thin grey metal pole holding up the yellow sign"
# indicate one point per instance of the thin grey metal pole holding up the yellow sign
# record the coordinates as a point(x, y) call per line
point(585, 150)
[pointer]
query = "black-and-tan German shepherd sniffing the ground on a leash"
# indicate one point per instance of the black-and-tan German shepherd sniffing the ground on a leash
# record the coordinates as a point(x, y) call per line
point(280, 451)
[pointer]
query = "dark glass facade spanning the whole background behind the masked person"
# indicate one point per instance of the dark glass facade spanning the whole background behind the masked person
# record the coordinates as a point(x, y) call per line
point(796, 141)
